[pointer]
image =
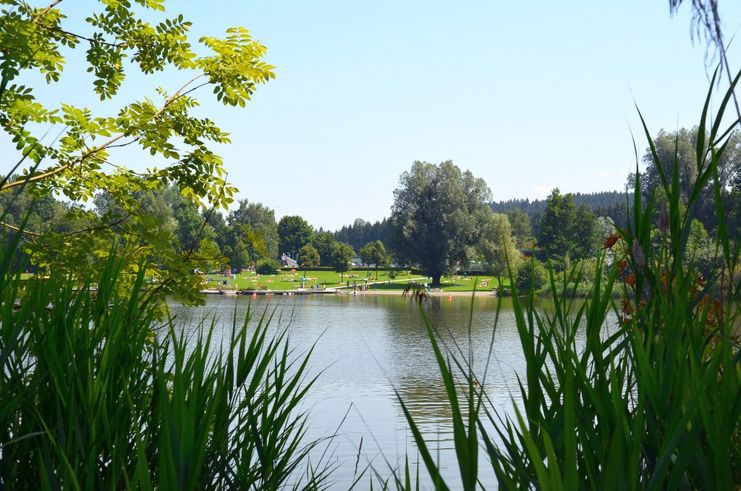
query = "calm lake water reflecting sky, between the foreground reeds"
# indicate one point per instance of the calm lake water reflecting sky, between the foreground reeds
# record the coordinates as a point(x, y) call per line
point(367, 346)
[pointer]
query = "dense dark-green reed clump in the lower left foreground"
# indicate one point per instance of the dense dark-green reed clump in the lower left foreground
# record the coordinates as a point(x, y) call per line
point(96, 394)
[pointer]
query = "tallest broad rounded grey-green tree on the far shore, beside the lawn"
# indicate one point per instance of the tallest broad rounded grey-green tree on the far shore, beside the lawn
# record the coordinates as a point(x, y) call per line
point(437, 214)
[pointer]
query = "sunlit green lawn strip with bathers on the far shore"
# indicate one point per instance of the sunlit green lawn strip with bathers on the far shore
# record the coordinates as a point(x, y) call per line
point(287, 280)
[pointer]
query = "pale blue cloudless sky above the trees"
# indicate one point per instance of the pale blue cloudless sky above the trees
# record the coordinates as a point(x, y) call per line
point(527, 95)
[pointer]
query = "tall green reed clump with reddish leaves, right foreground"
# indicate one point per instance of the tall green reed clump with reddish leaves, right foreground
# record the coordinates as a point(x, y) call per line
point(651, 400)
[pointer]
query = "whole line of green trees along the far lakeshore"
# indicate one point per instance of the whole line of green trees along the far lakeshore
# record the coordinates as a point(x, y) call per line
point(442, 220)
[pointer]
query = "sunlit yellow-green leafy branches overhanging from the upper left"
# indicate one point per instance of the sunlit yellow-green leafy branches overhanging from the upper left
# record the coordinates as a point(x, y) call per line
point(82, 153)
